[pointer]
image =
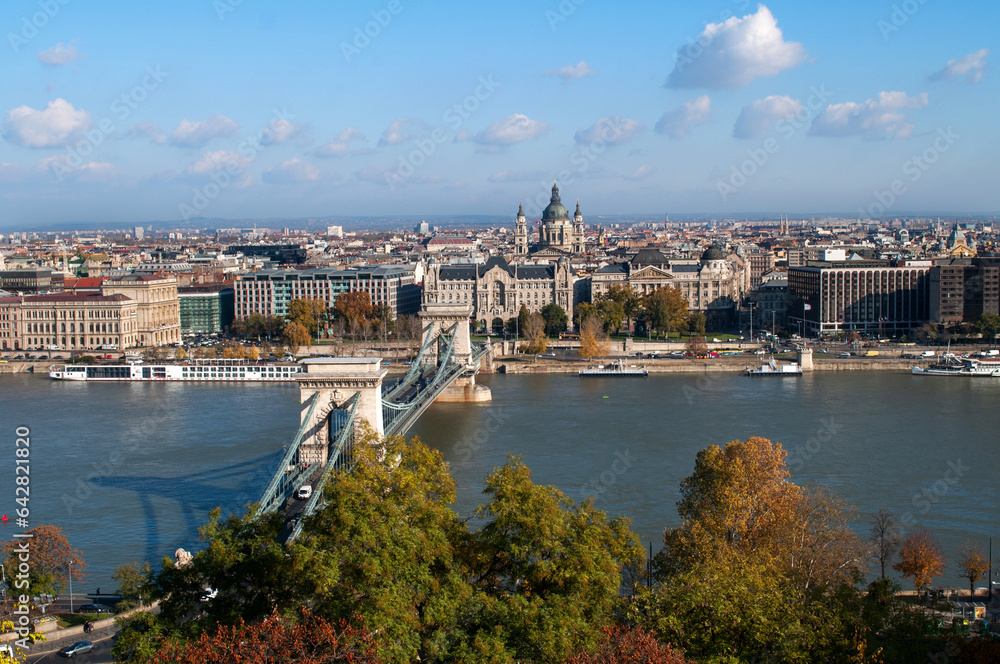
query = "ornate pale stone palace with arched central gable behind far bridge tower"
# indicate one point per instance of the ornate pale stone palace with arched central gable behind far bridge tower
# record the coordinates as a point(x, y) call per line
point(497, 289)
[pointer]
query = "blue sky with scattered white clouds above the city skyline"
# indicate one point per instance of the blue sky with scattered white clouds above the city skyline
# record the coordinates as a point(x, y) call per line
point(117, 112)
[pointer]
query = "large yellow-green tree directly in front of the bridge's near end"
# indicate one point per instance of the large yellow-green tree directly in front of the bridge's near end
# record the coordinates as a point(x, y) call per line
point(382, 548)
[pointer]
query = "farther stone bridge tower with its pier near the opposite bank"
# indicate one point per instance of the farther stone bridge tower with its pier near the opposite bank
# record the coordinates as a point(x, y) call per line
point(440, 322)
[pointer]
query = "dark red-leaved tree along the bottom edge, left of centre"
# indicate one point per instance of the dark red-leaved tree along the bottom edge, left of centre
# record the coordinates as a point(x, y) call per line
point(304, 639)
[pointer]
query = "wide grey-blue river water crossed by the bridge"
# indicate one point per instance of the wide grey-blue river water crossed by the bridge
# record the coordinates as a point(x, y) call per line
point(130, 470)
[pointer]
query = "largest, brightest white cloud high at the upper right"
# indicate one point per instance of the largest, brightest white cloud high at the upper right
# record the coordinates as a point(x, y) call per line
point(733, 53)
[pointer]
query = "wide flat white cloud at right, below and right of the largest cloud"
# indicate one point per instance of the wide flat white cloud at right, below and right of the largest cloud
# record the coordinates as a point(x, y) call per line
point(875, 118)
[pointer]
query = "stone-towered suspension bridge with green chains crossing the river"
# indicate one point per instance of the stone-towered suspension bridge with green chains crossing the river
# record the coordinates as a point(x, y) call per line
point(338, 393)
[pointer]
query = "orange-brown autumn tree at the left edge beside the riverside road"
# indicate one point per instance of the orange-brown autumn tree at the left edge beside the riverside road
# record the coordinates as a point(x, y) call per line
point(52, 558)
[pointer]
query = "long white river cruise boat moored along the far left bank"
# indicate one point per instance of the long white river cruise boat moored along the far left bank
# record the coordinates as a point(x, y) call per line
point(201, 371)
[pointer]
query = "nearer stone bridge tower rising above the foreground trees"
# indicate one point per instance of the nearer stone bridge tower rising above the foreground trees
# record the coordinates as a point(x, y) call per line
point(335, 380)
